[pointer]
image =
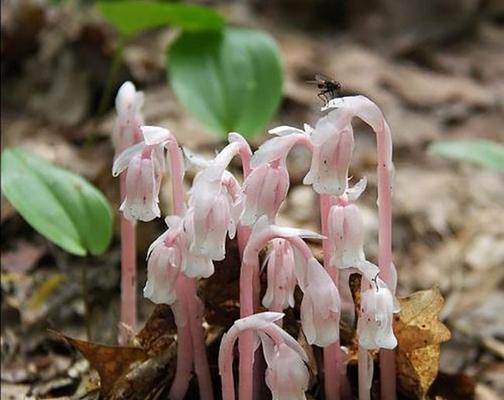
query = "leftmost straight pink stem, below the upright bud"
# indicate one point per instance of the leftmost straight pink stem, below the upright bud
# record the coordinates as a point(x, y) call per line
point(128, 273)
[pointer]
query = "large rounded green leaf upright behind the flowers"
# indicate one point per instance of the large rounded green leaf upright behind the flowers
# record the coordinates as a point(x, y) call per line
point(230, 81)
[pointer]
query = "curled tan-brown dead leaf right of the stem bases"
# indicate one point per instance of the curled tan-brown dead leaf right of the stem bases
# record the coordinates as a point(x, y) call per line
point(419, 333)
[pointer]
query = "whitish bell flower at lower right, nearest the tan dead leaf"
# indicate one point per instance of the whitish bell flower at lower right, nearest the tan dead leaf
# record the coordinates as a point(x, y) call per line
point(374, 327)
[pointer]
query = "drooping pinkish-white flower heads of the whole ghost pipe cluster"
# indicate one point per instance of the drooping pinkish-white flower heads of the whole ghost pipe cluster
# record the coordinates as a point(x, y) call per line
point(219, 206)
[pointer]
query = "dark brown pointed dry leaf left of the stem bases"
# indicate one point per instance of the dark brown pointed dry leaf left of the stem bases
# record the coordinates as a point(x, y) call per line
point(111, 362)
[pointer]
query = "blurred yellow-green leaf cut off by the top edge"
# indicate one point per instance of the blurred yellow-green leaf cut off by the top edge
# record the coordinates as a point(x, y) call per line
point(130, 17)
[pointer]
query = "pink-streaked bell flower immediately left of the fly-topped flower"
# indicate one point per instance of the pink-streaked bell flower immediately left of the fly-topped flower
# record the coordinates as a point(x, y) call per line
point(264, 191)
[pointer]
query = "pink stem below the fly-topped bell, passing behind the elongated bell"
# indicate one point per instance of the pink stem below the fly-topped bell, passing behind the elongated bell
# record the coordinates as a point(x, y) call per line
point(332, 353)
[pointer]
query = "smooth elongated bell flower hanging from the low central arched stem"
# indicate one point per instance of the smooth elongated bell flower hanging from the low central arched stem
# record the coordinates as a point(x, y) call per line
point(320, 307)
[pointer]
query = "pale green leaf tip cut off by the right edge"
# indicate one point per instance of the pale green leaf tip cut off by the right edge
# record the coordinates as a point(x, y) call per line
point(479, 151)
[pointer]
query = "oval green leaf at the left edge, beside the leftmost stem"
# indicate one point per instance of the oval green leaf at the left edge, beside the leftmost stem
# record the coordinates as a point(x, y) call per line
point(60, 205)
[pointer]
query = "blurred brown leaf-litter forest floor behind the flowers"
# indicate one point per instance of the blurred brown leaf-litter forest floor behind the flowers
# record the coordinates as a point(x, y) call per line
point(436, 68)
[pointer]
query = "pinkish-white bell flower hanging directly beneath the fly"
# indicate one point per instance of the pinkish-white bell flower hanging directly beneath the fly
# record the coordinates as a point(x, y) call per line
point(333, 144)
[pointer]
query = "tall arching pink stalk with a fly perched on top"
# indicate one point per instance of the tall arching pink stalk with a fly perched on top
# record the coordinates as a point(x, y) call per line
point(366, 110)
